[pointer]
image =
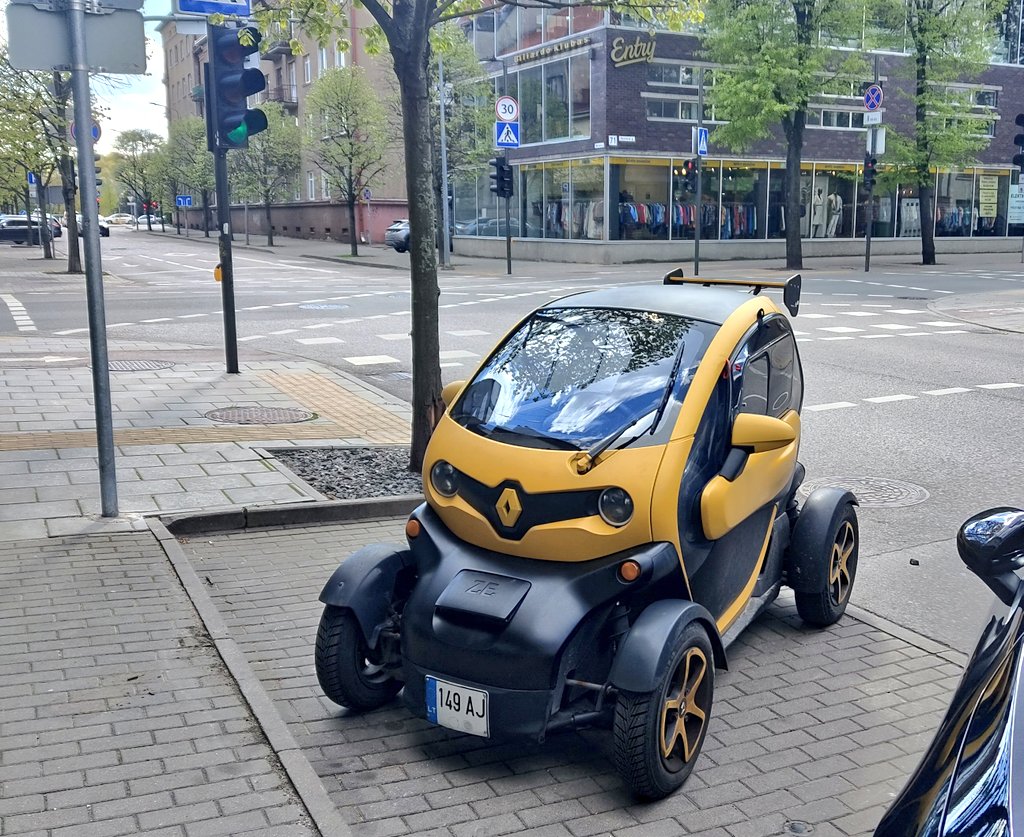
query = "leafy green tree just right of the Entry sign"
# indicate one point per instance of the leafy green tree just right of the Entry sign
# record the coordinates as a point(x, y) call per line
point(777, 57)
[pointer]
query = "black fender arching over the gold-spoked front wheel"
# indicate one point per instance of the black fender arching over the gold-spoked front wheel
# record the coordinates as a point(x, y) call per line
point(644, 657)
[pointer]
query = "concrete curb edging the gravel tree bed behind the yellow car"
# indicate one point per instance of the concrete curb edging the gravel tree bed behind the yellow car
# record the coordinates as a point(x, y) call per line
point(329, 512)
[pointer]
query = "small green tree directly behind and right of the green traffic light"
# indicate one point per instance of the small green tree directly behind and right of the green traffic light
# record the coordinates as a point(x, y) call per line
point(269, 168)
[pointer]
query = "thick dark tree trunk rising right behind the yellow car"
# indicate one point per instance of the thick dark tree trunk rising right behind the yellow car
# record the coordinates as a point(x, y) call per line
point(410, 53)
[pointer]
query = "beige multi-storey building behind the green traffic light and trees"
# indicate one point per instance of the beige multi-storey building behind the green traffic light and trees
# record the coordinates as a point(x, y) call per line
point(312, 211)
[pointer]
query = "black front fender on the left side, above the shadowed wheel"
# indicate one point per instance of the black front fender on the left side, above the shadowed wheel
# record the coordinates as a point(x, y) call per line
point(365, 583)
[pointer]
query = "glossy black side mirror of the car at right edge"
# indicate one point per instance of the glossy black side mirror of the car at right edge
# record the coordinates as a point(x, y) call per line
point(992, 545)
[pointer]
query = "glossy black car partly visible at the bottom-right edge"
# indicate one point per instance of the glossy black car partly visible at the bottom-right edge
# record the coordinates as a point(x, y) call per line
point(971, 781)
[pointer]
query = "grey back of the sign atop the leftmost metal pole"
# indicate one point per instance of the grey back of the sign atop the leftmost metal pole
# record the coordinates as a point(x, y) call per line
point(40, 40)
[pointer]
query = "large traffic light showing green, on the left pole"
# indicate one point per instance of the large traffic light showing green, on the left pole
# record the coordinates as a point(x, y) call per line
point(230, 122)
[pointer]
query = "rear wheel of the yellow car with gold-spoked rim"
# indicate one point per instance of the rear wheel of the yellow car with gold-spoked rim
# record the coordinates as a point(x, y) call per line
point(826, 605)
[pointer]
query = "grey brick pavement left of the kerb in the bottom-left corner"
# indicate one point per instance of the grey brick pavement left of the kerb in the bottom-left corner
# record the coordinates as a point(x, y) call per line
point(117, 716)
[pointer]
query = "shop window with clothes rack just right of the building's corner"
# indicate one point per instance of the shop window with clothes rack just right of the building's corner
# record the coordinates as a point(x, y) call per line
point(644, 212)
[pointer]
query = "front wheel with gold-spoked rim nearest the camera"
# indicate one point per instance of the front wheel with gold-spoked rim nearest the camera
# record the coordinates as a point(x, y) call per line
point(642, 720)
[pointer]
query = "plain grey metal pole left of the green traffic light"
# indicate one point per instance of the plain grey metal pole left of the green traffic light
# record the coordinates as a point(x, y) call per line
point(94, 266)
